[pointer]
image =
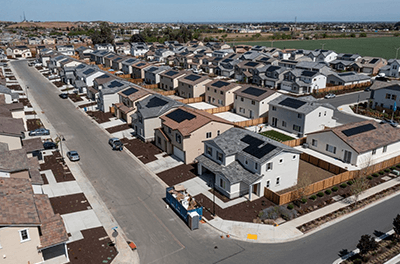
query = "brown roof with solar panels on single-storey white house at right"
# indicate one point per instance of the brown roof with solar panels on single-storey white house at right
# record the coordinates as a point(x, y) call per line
point(375, 135)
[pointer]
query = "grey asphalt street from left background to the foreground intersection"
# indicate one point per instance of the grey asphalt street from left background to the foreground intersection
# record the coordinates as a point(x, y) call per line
point(135, 199)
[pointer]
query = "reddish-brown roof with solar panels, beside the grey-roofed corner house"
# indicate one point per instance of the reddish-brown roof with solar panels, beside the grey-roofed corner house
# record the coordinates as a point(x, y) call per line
point(187, 119)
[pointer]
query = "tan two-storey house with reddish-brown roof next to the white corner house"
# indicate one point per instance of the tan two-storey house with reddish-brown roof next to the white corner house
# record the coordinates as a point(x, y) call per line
point(184, 129)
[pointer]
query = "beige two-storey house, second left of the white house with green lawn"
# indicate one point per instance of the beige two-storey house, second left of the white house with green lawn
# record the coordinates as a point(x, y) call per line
point(220, 93)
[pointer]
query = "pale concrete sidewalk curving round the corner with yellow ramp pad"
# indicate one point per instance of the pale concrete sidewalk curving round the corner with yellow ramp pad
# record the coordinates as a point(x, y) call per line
point(261, 233)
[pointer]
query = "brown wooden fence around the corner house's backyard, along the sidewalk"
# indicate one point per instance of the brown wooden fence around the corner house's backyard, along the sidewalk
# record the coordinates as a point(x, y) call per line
point(343, 176)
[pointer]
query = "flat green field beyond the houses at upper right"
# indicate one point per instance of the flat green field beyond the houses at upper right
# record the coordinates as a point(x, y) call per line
point(376, 47)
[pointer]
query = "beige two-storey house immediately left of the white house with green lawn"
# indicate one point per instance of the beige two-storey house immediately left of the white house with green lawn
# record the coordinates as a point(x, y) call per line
point(253, 102)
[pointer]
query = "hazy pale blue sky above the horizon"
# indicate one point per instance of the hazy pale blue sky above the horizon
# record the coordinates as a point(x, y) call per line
point(201, 10)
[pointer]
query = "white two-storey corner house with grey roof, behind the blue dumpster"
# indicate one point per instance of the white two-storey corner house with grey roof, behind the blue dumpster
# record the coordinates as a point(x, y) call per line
point(253, 163)
